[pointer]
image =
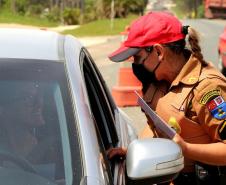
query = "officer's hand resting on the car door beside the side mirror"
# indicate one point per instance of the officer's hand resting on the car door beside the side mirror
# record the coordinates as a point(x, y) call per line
point(116, 153)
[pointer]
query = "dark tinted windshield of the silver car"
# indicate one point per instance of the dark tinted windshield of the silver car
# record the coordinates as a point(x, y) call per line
point(35, 111)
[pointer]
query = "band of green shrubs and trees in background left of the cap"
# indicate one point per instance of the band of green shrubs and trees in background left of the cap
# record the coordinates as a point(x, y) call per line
point(70, 11)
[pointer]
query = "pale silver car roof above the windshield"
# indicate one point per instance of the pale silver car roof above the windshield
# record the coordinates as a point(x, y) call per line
point(31, 44)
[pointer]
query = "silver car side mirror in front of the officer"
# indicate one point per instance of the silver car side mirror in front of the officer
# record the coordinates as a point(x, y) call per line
point(153, 160)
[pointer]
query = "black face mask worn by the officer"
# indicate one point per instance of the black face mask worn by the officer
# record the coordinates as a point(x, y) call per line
point(146, 77)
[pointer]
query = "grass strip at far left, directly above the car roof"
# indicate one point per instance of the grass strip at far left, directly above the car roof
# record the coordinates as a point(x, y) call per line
point(9, 17)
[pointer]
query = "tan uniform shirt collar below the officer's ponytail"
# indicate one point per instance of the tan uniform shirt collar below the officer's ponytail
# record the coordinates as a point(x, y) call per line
point(189, 74)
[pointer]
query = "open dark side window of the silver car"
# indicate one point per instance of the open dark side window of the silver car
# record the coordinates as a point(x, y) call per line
point(100, 101)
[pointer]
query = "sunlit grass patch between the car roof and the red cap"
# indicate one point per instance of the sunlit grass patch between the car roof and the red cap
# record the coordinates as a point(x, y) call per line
point(102, 27)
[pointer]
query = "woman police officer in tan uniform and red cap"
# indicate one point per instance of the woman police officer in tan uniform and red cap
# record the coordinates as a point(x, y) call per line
point(186, 91)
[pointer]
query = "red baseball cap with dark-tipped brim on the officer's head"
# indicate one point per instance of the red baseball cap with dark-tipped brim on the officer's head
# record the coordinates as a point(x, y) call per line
point(152, 28)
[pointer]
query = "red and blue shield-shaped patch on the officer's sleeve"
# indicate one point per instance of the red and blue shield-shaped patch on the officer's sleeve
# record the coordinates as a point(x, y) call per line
point(217, 107)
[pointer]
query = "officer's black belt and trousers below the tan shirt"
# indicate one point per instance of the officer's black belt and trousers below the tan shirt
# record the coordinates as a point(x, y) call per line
point(203, 175)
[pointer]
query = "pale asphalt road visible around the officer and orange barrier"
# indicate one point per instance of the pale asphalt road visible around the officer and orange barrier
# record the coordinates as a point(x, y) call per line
point(209, 34)
